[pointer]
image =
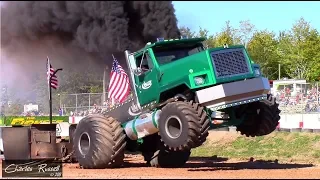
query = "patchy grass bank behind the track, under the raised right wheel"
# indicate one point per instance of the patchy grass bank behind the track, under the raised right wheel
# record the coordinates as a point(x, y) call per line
point(294, 147)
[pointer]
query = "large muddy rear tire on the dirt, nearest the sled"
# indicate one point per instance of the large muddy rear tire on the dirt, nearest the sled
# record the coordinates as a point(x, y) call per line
point(99, 142)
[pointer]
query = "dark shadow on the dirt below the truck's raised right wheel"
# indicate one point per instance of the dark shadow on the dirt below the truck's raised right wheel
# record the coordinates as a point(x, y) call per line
point(218, 163)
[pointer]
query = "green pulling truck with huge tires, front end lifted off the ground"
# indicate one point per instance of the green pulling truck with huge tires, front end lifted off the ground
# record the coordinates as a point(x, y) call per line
point(178, 85)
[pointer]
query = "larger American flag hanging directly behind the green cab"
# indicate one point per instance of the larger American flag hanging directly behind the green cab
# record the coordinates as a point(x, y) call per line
point(119, 86)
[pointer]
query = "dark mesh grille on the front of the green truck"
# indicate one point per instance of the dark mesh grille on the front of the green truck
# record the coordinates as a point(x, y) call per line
point(229, 62)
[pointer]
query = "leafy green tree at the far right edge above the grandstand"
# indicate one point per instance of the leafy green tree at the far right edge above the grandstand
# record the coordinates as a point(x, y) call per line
point(299, 49)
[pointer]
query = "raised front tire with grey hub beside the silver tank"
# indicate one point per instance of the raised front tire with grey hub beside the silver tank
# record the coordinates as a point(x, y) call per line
point(183, 125)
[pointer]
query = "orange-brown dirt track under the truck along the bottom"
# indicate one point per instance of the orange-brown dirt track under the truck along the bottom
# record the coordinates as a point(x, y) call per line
point(198, 168)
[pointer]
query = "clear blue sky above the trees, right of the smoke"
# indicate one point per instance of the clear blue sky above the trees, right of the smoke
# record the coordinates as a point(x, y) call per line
point(270, 15)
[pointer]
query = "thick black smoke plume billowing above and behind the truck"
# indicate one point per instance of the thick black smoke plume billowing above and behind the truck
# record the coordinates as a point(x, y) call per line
point(77, 33)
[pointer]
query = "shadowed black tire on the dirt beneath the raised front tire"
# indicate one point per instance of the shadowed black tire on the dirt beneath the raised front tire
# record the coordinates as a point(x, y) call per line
point(156, 155)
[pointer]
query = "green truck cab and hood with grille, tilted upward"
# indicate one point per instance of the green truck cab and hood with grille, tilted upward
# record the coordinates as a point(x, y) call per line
point(165, 68)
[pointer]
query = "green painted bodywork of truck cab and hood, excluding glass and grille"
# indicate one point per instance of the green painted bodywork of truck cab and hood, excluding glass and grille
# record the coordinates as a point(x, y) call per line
point(162, 77)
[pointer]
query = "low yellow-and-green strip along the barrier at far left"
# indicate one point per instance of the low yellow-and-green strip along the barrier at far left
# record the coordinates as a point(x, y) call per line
point(26, 121)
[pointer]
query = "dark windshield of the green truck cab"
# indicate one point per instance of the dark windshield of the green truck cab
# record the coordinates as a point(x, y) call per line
point(170, 53)
